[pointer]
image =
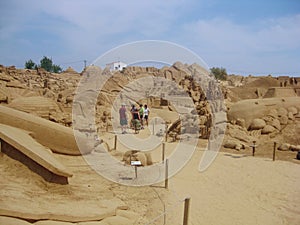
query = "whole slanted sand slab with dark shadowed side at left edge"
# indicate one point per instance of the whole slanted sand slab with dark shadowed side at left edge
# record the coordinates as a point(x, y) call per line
point(18, 144)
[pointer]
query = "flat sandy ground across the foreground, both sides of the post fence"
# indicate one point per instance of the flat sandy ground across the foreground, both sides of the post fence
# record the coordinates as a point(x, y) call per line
point(235, 189)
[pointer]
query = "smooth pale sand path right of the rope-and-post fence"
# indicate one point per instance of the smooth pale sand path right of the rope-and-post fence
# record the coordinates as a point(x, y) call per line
point(235, 189)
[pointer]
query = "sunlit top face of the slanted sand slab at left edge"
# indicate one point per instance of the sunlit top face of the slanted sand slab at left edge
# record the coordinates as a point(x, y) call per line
point(23, 142)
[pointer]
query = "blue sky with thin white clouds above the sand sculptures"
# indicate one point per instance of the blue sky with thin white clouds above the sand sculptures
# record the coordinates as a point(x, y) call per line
point(245, 37)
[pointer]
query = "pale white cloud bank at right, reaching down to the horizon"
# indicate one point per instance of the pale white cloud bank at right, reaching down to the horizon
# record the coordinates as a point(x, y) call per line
point(257, 47)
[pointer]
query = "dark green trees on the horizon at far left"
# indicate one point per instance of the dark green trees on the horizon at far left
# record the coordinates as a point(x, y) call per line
point(45, 63)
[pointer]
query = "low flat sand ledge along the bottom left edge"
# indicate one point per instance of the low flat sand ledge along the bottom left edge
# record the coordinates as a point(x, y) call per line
point(65, 211)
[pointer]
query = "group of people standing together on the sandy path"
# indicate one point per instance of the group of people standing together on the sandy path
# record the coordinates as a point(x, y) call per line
point(139, 116)
